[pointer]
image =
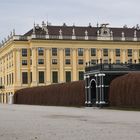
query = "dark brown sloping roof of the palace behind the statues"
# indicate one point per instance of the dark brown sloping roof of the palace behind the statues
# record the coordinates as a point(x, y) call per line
point(80, 31)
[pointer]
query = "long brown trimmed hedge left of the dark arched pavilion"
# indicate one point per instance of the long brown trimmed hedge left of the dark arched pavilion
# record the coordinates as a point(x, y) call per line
point(65, 94)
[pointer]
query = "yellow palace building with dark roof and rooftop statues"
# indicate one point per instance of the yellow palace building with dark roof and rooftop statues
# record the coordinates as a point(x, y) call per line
point(50, 54)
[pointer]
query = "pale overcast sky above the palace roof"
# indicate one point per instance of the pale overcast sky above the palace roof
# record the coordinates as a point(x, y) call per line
point(21, 14)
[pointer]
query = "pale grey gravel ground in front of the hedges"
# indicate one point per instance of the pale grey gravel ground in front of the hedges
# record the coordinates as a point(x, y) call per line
point(23, 122)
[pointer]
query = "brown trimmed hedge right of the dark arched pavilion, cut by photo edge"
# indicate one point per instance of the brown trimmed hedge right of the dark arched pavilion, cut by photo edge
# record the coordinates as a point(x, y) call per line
point(125, 91)
